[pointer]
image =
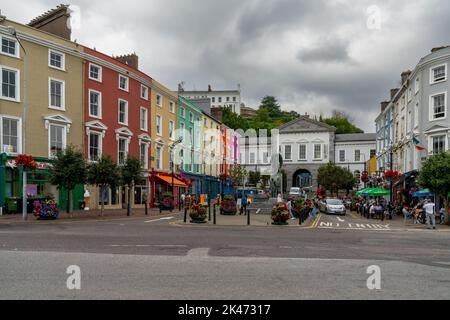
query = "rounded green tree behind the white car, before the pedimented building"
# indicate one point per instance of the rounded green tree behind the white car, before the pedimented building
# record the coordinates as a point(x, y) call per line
point(334, 178)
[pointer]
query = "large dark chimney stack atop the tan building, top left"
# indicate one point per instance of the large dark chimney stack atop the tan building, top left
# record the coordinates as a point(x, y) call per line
point(55, 21)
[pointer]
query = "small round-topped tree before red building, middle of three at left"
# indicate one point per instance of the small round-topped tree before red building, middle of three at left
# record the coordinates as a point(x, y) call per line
point(104, 174)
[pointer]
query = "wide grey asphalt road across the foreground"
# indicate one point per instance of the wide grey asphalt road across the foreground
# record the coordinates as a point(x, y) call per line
point(154, 259)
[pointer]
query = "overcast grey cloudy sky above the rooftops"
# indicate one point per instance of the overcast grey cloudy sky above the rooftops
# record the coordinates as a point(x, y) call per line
point(314, 56)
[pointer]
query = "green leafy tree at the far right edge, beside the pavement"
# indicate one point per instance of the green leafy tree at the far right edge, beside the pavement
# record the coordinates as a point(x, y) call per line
point(435, 175)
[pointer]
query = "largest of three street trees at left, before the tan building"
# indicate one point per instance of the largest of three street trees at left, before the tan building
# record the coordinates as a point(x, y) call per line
point(67, 170)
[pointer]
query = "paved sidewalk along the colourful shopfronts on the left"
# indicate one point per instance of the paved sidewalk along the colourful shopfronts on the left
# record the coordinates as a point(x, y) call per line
point(81, 215)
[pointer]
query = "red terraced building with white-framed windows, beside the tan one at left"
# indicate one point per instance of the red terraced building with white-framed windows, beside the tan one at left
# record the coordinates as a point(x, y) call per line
point(117, 119)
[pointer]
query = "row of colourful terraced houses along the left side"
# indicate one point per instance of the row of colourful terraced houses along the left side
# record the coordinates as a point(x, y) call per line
point(56, 92)
